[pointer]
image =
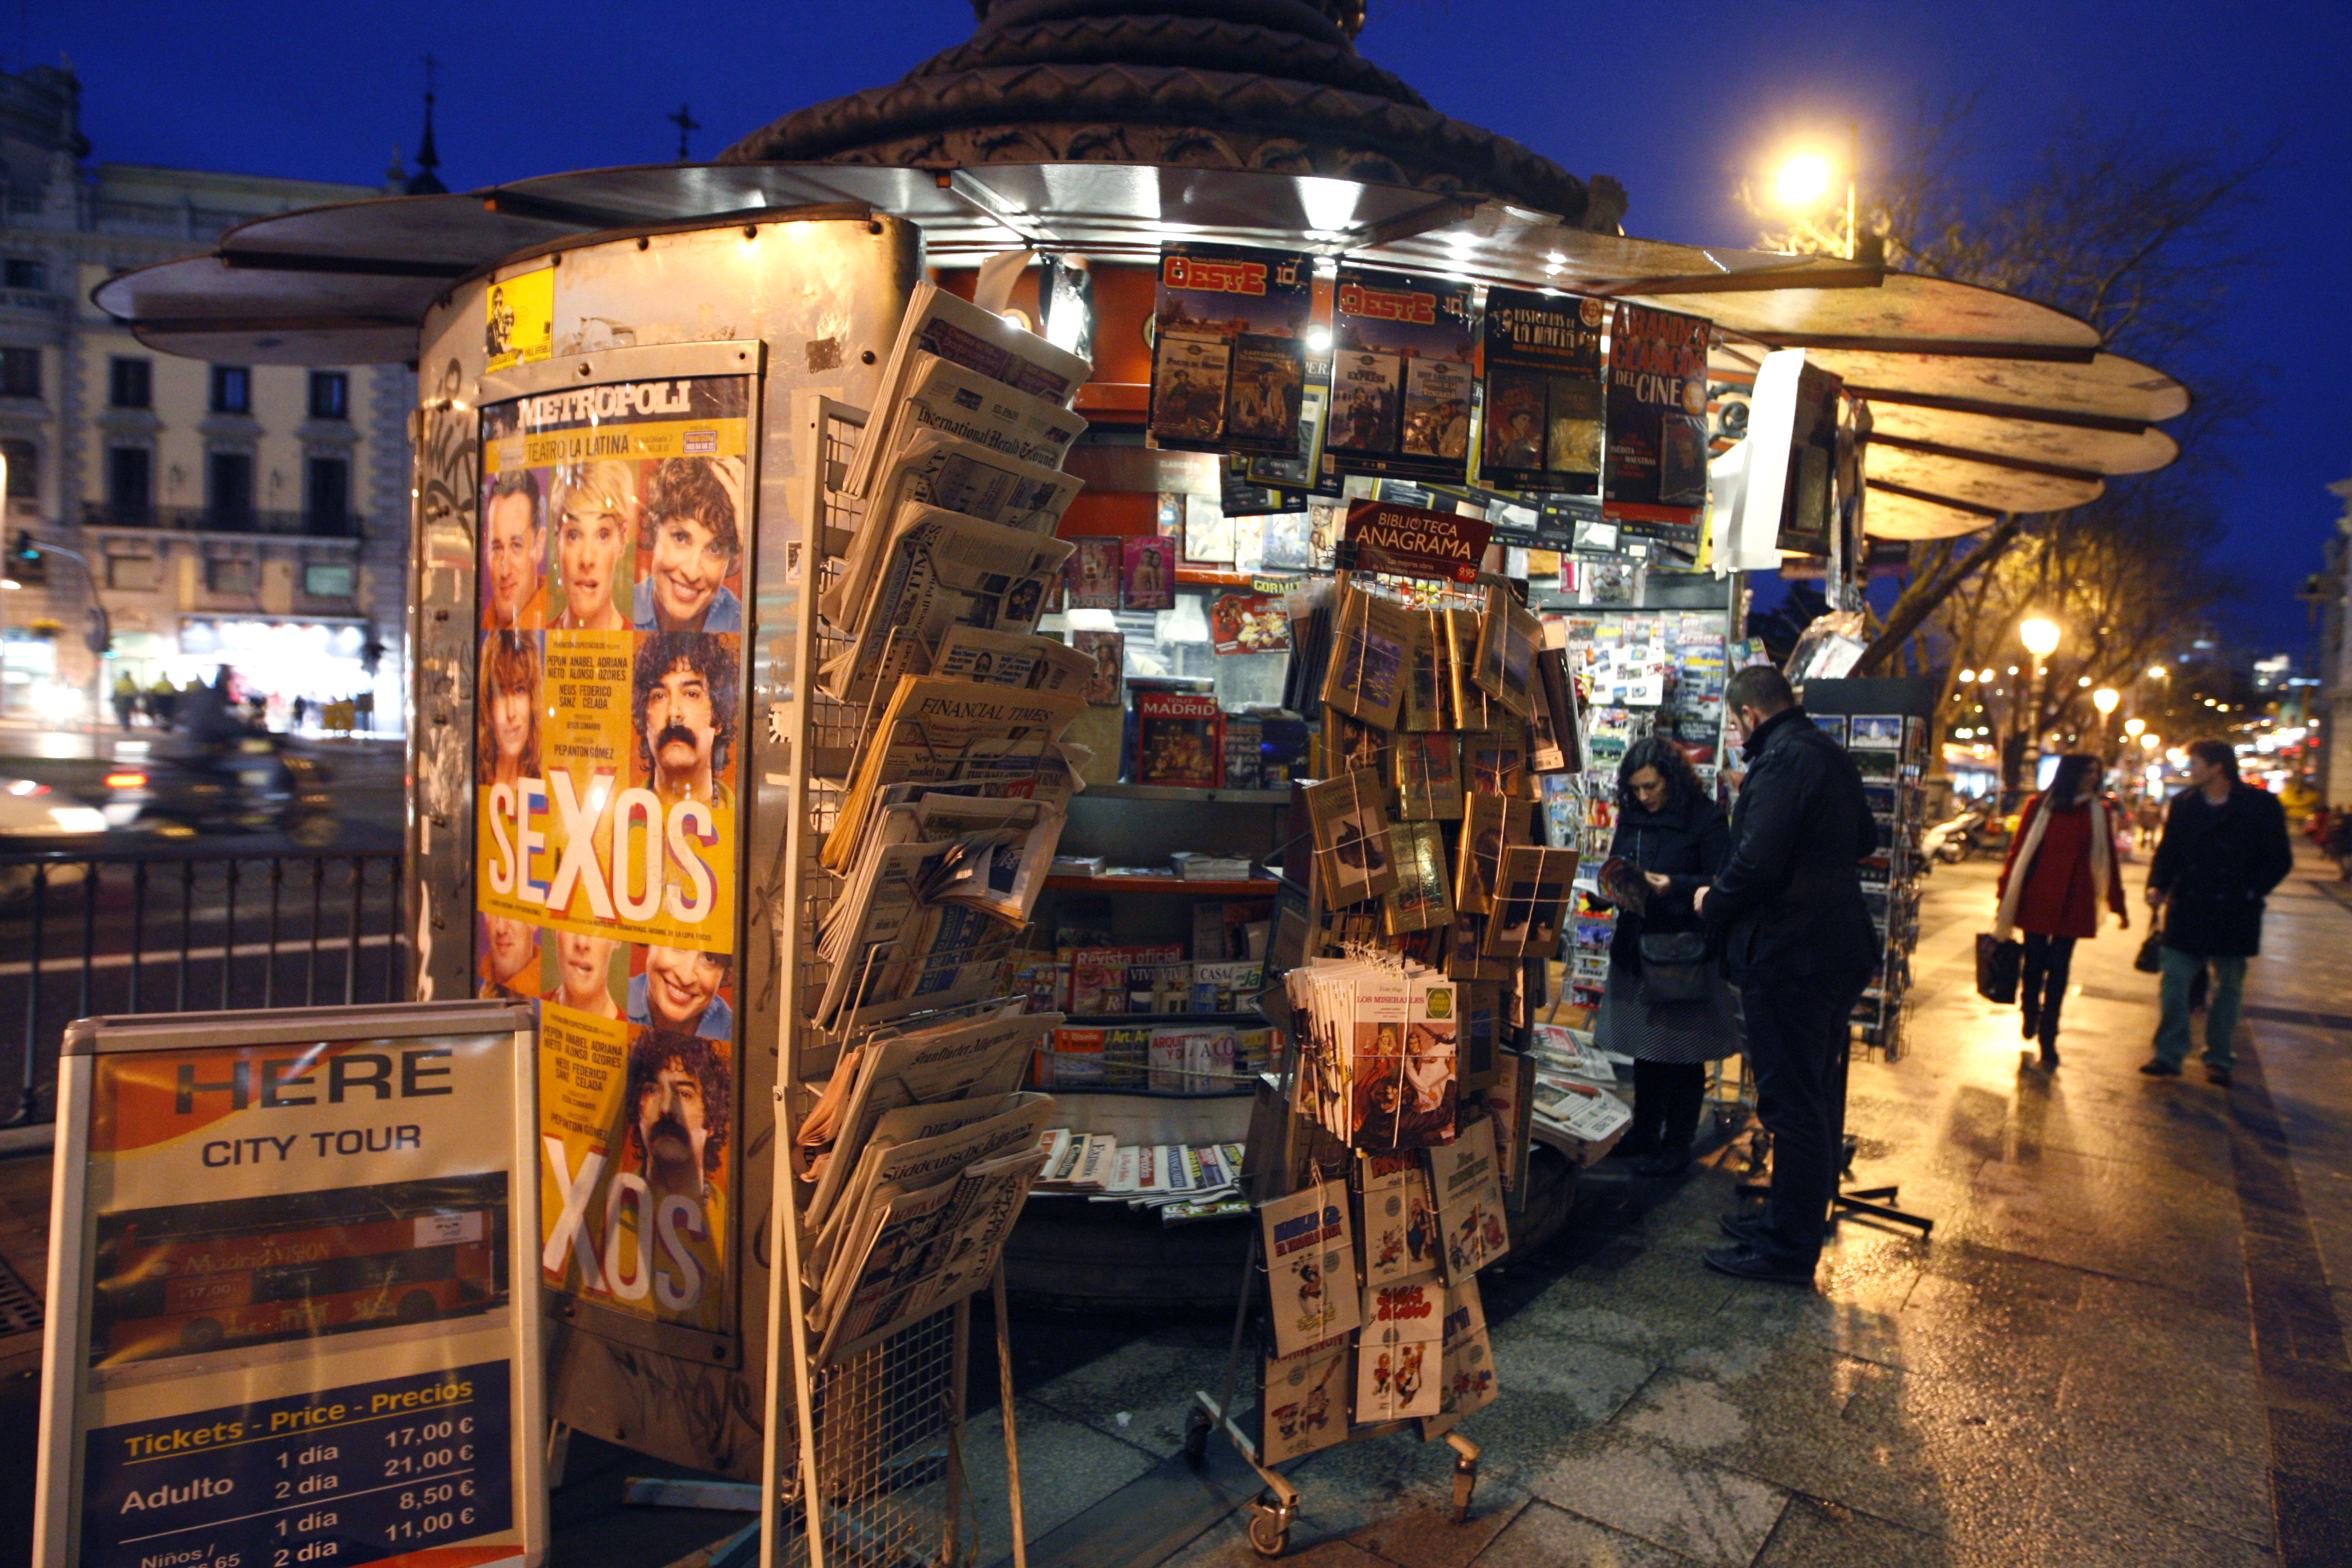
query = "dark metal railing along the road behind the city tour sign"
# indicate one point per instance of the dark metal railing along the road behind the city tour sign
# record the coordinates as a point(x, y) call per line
point(182, 925)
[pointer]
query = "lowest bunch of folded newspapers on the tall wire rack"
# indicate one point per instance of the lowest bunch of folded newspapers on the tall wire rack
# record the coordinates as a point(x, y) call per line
point(914, 1165)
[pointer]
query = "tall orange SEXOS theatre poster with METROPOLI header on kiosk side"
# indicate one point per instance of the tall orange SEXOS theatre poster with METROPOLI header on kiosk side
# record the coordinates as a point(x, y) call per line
point(608, 845)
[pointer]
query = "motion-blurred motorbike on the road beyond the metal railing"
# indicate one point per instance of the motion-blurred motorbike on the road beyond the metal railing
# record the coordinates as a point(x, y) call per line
point(250, 784)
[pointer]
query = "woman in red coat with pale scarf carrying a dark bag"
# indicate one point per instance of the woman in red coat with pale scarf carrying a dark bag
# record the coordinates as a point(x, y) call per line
point(2059, 864)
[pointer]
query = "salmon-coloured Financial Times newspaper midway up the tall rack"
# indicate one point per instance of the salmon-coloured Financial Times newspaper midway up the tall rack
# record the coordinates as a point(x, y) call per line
point(928, 735)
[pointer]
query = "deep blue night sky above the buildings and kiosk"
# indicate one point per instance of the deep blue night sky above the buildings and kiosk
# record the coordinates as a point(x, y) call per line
point(1676, 102)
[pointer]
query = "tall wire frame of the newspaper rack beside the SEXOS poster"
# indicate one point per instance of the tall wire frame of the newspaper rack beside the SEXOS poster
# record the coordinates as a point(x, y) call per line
point(867, 1456)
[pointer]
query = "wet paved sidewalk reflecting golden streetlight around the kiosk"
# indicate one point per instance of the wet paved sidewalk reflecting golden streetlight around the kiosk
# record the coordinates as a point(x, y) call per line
point(2120, 1346)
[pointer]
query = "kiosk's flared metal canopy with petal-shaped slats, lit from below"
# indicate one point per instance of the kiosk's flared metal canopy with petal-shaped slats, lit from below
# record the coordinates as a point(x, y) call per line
point(1982, 403)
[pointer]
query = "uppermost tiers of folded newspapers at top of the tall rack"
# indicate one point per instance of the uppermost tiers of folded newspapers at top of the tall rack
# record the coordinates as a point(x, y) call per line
point(963, 488)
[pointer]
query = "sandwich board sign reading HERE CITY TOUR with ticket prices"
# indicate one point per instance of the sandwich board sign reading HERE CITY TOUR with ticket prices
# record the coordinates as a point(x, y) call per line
point(295, 1292)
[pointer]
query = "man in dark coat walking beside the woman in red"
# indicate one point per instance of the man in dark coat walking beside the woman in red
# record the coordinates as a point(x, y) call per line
point(2221, 855)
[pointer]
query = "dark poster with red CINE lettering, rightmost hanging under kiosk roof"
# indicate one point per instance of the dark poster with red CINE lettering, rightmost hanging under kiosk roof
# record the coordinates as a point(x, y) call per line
point(1657, 467)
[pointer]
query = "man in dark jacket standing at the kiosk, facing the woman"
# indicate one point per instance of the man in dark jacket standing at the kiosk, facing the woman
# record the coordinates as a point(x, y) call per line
point(1800, 946)
